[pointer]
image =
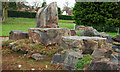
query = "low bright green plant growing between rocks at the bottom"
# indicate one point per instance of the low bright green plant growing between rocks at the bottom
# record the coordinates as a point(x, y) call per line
point(83, 62)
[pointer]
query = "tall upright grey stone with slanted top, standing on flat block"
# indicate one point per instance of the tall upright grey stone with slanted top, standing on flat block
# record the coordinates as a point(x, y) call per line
point(47, 17)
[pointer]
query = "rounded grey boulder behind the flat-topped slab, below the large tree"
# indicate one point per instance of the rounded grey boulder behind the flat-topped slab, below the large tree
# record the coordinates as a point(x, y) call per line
point(89, 32)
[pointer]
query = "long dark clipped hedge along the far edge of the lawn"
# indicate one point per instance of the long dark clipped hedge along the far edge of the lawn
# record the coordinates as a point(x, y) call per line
point(26, 14)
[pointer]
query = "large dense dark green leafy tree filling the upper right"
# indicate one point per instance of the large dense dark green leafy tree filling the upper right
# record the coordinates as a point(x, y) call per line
point(97, 13)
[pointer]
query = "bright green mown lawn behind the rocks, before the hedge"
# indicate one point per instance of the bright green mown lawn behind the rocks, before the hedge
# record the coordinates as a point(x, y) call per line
point(24, 24)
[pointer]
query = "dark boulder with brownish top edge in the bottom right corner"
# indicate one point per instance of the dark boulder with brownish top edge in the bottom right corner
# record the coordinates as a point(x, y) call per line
point(101, 64)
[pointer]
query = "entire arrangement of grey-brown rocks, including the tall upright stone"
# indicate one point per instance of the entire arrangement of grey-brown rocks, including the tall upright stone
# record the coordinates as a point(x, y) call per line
point(102, 47)
